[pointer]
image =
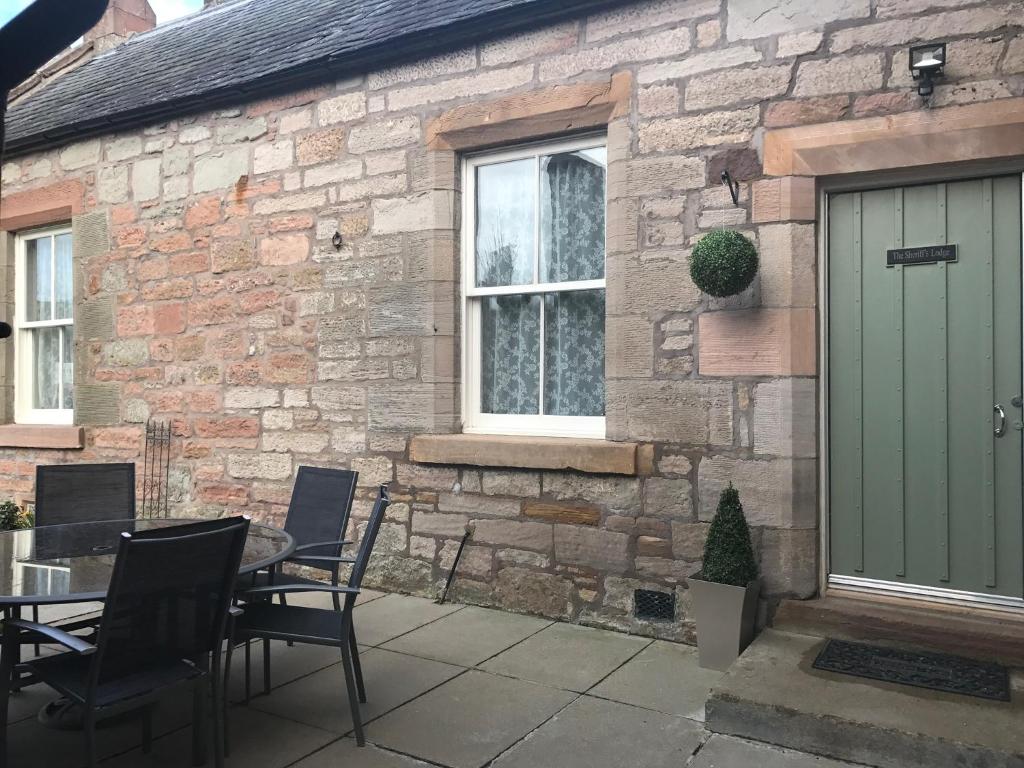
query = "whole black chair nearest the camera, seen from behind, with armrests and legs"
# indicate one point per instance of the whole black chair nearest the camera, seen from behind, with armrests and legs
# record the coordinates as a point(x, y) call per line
point(163, 627)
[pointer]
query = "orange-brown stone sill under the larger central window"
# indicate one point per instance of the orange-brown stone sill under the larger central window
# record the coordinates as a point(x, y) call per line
point(603, 457)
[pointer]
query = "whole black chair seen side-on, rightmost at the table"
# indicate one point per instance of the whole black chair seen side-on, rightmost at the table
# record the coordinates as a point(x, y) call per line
point(271, 621)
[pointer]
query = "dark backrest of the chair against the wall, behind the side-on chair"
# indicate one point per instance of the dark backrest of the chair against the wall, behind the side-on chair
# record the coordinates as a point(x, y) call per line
point(322, 503)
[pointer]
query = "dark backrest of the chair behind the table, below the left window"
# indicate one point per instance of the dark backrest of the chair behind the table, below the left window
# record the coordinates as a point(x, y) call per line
point(84, 493)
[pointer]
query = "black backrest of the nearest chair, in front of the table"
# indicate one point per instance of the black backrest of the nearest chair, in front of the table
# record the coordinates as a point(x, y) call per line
point(169, 596)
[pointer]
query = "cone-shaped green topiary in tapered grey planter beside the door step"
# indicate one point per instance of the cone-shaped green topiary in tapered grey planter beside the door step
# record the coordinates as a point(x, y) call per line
point(726, 592)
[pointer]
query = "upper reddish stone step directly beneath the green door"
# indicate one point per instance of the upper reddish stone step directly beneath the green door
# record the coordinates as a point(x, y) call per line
point(997, 636)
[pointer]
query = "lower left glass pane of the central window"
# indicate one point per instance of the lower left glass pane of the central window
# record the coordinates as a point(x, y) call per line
point(510, 355)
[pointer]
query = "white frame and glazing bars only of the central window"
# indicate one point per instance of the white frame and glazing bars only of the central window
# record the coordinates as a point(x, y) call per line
point(475, 421)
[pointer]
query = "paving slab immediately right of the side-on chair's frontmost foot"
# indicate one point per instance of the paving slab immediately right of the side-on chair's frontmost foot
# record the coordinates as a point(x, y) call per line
point(468, 721)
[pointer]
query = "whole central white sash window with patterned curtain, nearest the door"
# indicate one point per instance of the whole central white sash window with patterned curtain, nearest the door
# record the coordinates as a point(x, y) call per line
point(534, 290)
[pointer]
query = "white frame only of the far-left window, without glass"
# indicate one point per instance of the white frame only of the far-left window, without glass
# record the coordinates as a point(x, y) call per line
point(24, 368)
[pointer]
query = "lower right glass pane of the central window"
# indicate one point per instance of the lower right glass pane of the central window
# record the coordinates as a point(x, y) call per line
point(574, 354)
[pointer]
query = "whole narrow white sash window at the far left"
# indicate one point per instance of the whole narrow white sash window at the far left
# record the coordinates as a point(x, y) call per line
point(45, 328)
